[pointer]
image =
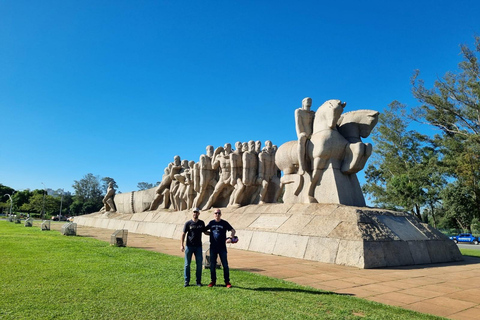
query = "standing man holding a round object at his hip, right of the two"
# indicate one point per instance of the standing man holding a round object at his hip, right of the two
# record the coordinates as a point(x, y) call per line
point(218, 236)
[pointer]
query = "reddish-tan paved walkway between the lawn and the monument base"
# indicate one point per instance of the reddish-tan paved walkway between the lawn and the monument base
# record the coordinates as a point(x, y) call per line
point(448, 290)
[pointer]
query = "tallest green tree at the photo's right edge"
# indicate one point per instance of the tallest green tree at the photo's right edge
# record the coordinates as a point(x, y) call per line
point(453, 106)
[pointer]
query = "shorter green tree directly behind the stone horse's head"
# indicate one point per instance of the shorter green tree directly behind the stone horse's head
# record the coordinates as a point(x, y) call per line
point(402, 174)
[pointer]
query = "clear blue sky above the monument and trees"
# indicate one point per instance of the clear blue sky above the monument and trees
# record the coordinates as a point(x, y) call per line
point(117, 88)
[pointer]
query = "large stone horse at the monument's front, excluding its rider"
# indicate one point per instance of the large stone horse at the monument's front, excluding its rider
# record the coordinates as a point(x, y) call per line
point(335, 153)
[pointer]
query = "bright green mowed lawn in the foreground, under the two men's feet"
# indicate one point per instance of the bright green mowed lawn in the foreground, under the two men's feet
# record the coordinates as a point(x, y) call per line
point(45, 275)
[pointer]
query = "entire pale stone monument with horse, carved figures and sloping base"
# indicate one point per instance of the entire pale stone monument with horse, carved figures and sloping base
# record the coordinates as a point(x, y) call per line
point(323, 216)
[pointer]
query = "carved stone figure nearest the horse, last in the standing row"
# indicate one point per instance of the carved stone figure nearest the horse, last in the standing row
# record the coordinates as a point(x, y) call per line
point(267, 174)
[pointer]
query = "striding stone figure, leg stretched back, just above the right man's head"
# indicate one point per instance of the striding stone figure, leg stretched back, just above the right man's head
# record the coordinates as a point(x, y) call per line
point(221, 160)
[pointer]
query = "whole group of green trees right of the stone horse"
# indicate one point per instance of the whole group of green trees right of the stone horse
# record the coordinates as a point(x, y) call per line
point(436, 178)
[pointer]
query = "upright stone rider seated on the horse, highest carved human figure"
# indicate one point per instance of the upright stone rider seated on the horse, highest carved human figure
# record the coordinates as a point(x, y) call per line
point(304, 118)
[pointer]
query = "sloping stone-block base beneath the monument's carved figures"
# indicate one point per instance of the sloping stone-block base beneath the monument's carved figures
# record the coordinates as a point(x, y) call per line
point(331, 233)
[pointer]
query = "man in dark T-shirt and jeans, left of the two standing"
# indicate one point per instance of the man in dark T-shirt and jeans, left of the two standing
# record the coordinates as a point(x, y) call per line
point(193, 230)
